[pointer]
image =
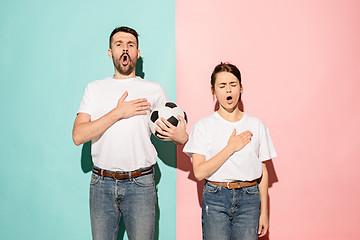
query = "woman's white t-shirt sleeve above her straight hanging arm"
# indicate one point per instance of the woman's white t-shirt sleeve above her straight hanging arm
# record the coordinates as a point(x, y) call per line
point(267, 149)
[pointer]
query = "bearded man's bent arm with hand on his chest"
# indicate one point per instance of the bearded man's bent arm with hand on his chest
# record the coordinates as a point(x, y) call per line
point(85, 130)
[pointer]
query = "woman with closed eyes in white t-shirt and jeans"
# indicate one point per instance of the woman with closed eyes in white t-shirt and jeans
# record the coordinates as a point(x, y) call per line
point(235, 196)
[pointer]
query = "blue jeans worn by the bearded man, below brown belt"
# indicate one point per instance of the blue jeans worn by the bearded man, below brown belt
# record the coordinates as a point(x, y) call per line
point(133, 199)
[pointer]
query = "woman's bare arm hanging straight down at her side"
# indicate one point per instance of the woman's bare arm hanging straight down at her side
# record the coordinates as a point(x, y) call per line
point(264, 212)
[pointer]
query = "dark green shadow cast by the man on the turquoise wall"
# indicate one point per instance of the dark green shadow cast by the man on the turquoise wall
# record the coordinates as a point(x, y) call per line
point(166, 152)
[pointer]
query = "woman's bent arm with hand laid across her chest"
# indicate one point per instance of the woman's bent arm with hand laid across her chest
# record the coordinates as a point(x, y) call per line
point(203, 169)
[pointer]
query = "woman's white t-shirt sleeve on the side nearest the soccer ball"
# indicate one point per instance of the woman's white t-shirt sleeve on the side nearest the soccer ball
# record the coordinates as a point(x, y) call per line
point(196, 142)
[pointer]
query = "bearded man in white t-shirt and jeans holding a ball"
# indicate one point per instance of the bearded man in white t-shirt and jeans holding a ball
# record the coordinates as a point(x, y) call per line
point(113, 114)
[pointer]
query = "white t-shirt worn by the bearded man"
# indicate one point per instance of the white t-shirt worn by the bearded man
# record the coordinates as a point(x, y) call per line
point(126, 145)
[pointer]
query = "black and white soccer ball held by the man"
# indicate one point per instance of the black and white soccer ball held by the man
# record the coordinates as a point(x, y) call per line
point(169, 111)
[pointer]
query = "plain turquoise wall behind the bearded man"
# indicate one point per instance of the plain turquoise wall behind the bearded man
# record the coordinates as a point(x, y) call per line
point(49, 52)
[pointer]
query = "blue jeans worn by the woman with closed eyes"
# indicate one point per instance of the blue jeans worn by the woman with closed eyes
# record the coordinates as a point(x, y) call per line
point(230, 213)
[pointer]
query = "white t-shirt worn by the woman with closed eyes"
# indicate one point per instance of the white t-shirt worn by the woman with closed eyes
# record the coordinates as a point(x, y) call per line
point(211, 134)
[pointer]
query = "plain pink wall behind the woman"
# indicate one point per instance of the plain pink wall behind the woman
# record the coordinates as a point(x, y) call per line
point(300, 63)
